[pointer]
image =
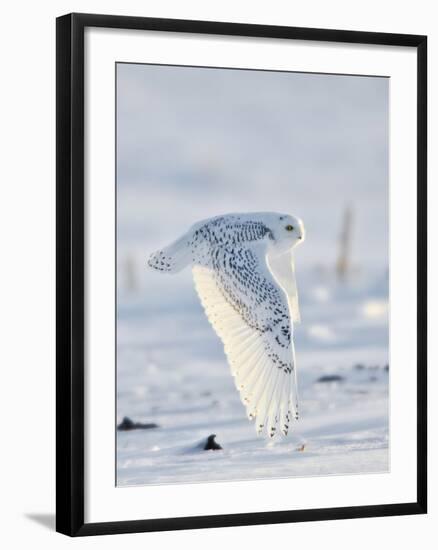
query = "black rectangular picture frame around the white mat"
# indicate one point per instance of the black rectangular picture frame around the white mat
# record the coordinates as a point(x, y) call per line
point(70, 273)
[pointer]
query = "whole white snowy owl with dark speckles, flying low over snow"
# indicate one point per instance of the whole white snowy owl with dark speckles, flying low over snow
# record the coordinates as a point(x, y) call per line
point(243, 270)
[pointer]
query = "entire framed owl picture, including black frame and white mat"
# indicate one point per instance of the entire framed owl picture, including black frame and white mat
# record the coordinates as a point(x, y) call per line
point(241, 274)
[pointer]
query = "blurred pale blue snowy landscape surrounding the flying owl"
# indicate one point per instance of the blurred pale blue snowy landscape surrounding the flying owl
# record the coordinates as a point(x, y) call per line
point(198, 142)
